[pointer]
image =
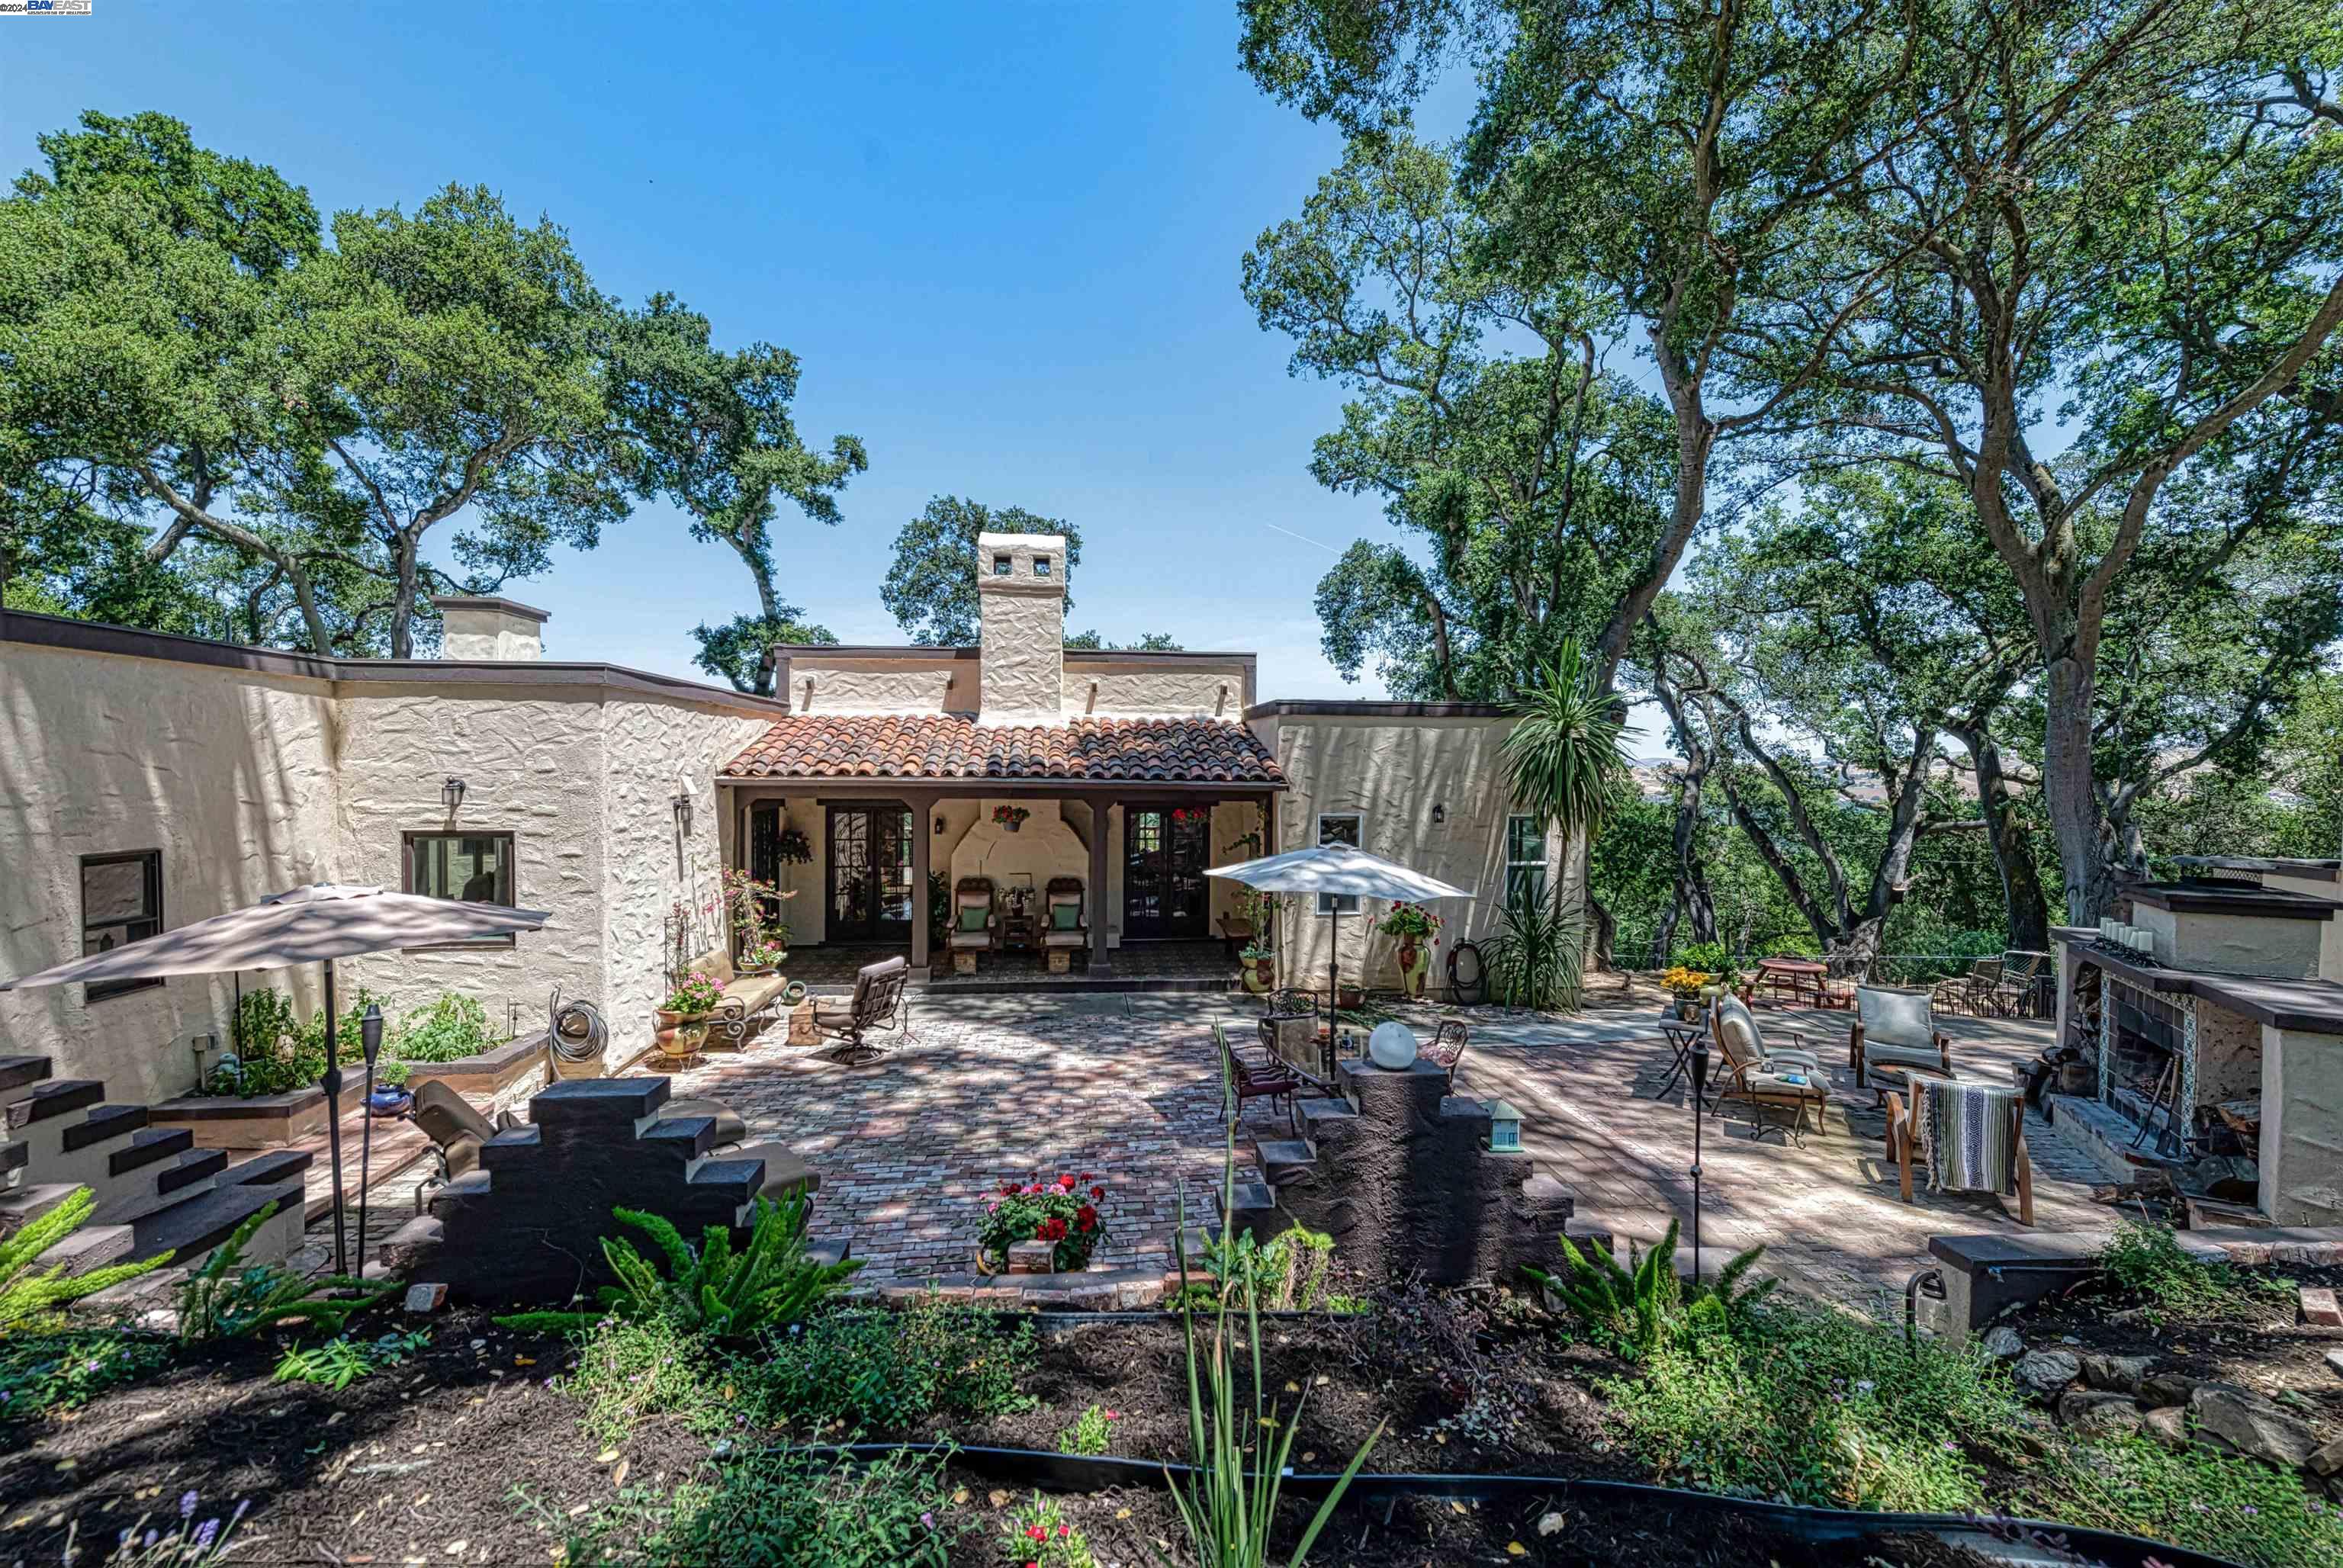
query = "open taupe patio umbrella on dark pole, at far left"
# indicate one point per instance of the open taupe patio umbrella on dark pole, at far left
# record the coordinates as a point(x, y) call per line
point(313, 925)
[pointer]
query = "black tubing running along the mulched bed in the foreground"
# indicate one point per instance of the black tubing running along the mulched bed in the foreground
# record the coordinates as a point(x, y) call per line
point(2021, 1541)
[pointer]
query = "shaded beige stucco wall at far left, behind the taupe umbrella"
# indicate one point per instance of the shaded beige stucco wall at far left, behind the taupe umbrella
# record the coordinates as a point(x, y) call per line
point(228, 777)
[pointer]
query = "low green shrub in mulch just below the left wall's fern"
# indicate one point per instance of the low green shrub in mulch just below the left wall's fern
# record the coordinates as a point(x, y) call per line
point(887, 1370)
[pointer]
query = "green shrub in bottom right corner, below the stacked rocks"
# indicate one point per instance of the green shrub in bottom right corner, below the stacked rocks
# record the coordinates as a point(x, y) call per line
point(2220, 1504)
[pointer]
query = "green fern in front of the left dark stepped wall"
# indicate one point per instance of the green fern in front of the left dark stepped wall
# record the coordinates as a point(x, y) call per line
point(709, 1288)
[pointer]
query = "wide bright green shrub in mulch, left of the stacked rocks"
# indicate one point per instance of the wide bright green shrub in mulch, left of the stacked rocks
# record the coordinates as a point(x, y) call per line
point(1817, 1407)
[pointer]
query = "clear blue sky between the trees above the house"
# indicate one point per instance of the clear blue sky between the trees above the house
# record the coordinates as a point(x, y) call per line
point(1002, 238)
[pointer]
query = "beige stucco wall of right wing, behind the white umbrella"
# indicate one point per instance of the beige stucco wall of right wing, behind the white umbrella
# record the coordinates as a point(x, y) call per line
point(1393, 772)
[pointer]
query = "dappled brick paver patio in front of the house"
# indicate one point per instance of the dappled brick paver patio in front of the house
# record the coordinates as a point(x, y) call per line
point(1126, 1086)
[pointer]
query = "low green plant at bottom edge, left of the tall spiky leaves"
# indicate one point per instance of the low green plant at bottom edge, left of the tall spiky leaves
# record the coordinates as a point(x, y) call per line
point(777, 1511)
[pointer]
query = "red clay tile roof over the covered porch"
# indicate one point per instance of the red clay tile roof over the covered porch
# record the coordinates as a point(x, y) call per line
point(955, 746)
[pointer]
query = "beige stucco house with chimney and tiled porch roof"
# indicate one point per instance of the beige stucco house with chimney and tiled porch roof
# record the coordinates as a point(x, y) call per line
point(149, 782)
